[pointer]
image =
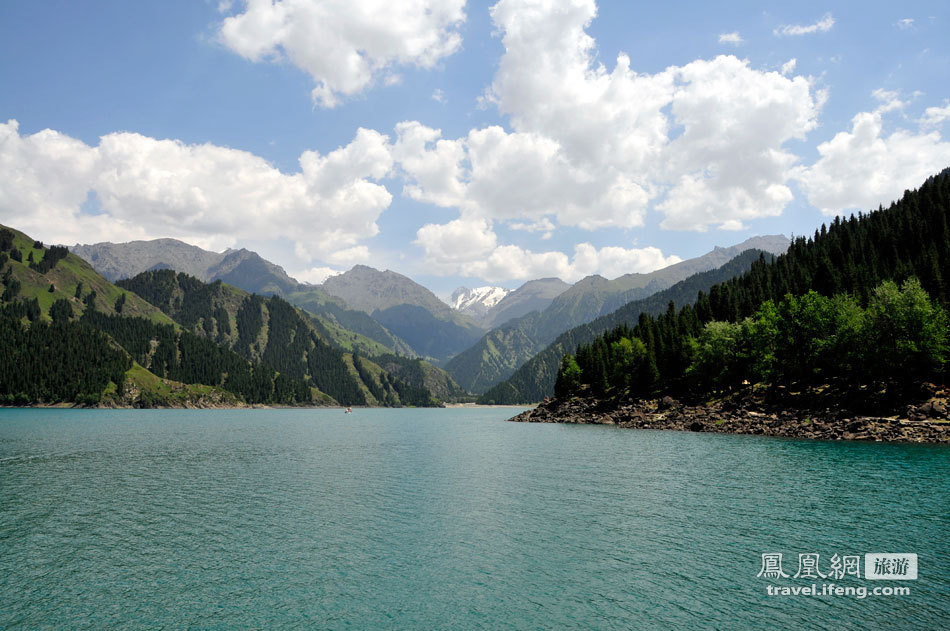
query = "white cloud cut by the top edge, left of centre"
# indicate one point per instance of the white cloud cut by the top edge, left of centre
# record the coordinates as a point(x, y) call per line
point(344, 44)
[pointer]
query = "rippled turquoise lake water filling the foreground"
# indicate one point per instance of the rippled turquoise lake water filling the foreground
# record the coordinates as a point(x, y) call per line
point(449, 519)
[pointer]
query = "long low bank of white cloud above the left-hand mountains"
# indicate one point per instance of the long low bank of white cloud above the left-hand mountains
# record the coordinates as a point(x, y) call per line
point(148, 188)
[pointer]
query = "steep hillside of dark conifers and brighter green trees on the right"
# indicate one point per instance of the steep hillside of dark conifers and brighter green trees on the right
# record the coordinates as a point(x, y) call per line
point(860, 303)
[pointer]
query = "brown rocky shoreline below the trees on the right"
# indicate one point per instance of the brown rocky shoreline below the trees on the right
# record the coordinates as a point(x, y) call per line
point(926, 422)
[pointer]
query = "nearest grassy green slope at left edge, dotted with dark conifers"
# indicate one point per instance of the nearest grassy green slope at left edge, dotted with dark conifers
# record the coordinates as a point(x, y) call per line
point(47, 355)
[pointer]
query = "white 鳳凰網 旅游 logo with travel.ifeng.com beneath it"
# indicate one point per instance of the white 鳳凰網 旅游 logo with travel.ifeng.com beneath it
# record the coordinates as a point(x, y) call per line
point(883, 566)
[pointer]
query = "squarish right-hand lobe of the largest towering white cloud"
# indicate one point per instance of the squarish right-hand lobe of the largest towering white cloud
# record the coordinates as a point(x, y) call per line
point(729, 161)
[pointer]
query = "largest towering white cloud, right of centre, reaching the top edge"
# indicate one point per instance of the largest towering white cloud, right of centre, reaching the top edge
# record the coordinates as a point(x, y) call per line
point(732, 120)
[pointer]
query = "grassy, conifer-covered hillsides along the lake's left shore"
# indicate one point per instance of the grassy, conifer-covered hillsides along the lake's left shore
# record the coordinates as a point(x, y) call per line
point(71, 336)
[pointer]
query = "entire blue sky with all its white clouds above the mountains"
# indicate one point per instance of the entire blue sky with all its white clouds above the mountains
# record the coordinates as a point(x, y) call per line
point(464, 143)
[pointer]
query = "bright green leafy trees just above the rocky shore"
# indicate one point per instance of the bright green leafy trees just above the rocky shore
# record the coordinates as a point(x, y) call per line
point(901, 336)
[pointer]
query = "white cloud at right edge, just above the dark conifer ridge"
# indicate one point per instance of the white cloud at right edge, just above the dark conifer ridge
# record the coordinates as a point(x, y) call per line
point(863, 168)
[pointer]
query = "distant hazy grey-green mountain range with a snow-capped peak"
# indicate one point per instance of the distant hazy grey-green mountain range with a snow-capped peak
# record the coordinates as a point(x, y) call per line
point(481, 338)
